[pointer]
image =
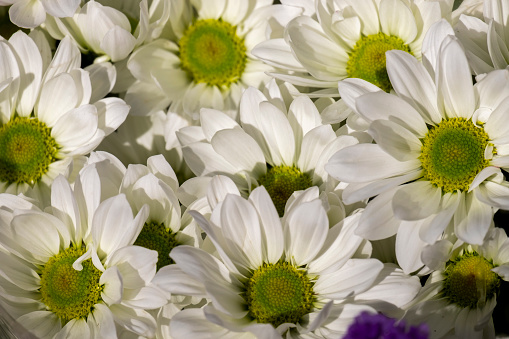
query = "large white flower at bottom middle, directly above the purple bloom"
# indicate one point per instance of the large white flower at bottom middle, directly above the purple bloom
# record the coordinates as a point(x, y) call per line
point(294, 277)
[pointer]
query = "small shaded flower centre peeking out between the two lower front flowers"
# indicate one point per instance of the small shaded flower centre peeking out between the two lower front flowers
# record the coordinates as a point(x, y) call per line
point(157, 237)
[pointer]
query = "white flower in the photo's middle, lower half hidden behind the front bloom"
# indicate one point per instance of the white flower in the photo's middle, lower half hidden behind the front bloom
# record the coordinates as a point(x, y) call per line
point(283, 150)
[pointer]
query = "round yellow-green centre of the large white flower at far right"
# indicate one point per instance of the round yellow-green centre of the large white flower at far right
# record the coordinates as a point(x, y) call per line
point(453, 154)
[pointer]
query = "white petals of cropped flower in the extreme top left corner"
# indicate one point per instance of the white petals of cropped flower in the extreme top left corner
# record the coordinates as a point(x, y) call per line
point(32, 13)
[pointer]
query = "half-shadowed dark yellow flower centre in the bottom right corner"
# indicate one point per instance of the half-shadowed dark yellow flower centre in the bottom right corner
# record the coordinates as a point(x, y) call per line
point(469, 281)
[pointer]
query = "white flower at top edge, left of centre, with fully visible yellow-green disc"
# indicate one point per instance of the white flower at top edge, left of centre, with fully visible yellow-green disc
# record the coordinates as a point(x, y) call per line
point(203, 58)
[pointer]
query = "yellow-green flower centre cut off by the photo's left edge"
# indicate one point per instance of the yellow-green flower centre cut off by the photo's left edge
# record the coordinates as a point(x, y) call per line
point(26, 150)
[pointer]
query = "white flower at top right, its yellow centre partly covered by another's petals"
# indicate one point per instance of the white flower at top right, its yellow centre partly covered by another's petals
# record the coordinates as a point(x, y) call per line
point(349, 40)
